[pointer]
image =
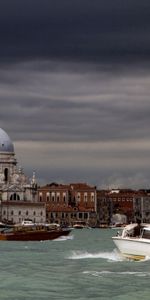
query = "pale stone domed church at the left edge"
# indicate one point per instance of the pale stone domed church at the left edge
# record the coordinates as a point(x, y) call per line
point(18, 194)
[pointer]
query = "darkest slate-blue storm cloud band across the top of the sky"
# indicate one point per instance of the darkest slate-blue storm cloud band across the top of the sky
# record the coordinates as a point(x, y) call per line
point(75, 30)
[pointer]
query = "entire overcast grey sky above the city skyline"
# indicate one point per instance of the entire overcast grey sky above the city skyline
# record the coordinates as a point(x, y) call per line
point(75, 89)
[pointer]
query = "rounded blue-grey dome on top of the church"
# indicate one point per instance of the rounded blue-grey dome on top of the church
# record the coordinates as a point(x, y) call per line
point(6, 144)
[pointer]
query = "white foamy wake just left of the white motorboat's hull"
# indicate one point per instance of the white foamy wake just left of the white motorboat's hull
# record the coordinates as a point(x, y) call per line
point(110, 256)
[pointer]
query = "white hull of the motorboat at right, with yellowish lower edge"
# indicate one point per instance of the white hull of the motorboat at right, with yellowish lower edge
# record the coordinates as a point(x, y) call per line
point(137, 249)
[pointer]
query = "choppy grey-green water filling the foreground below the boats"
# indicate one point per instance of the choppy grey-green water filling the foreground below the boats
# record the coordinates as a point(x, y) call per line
point(83, 266)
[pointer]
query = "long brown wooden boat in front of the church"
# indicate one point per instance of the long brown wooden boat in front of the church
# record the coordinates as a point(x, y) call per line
point(32, 232)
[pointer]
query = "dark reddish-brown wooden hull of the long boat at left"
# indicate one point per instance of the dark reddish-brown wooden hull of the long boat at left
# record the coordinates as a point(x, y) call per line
point(33, 235)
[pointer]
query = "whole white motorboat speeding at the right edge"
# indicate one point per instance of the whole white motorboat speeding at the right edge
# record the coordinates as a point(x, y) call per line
point(134, 241)
